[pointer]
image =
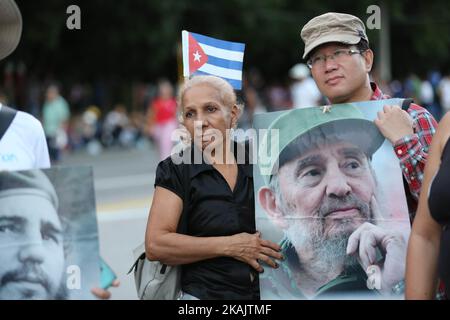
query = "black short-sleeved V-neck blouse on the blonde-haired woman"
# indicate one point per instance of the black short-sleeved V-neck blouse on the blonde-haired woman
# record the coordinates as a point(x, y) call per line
point(214, 210)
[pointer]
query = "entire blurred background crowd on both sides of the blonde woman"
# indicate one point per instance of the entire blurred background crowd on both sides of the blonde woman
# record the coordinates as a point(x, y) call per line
point(76, 122)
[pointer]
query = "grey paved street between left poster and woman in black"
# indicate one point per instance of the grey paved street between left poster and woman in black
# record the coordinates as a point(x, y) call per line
point(123, 187)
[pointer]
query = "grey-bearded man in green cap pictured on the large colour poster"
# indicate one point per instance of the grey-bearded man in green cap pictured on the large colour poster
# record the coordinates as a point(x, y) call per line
point(322, 192)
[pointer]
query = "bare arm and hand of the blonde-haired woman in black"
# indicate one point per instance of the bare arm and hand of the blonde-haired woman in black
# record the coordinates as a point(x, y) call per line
point(164, 244)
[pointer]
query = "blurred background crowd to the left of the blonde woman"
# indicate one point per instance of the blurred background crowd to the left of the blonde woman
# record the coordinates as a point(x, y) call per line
point(71, 125)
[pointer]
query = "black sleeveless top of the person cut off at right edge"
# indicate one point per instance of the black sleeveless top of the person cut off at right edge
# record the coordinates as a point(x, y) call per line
point(439, 204)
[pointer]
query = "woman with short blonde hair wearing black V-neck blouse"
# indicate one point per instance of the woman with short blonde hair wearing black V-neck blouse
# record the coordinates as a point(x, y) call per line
point(221, 252)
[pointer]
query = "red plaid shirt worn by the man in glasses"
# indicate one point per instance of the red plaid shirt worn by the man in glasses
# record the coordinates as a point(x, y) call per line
point(412, 150)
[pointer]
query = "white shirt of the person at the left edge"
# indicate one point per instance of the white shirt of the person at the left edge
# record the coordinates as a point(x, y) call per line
point(23, 145)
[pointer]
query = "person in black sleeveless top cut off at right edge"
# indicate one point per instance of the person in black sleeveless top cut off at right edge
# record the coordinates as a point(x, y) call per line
point(429, 244)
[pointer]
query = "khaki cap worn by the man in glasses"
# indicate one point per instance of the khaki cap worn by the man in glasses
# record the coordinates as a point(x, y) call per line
point(332, 27)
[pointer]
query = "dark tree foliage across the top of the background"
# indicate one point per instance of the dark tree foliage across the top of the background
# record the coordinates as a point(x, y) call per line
point(136, 40)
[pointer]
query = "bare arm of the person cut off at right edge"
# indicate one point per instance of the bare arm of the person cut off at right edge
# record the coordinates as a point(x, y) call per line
point(424, 242)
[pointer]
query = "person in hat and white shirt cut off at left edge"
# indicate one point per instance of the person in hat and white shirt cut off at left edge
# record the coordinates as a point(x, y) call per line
point(23, 144)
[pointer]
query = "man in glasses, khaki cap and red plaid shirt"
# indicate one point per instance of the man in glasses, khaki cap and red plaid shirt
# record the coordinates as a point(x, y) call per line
point(338, 54)
